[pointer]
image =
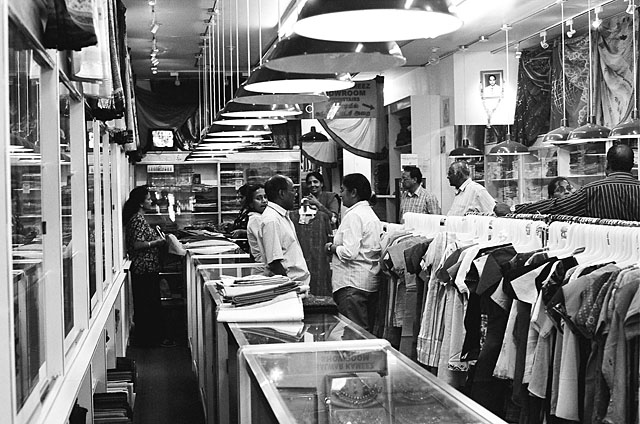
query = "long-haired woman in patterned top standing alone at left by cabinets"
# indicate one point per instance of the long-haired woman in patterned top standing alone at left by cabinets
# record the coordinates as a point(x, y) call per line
point(142, 246)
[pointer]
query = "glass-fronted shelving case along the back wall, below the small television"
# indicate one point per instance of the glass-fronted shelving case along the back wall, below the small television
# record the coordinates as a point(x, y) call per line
point(204, 194)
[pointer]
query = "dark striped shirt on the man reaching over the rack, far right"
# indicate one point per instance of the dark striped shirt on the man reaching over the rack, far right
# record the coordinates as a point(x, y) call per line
point(615, 197)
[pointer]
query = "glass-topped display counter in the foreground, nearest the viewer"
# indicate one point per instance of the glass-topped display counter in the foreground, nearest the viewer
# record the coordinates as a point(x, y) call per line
point(360, 381)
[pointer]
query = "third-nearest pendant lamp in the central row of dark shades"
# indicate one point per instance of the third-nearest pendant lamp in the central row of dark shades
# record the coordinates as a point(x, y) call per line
point(265, 80)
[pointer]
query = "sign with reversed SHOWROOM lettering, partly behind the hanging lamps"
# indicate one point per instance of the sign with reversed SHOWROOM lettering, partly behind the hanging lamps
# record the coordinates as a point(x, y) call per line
point(359, 101)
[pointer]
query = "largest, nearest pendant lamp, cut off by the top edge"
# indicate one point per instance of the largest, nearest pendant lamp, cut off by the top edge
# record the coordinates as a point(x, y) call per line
point(375, 20)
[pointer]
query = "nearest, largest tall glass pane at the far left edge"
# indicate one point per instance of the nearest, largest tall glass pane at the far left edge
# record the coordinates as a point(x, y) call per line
point(26, 219)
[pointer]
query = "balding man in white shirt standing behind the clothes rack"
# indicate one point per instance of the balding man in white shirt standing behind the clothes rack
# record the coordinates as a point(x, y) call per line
point(470, 196)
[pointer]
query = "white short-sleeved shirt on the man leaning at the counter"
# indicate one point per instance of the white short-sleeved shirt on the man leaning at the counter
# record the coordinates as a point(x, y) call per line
point(280, 242)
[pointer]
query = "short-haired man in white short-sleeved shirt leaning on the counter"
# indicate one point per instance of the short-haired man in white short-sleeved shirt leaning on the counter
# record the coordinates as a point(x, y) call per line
point(282, 251)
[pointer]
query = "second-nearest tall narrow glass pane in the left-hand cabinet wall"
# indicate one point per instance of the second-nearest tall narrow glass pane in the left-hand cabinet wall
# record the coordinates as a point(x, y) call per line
point(65, 194)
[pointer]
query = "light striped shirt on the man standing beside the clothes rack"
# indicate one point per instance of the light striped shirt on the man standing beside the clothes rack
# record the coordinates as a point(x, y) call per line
point(356, 262)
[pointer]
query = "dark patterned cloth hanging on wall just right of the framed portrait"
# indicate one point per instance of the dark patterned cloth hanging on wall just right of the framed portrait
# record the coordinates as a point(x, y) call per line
point(534, 95)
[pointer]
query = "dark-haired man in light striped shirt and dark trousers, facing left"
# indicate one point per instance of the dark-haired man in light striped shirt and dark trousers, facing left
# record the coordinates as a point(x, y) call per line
point(356, 253)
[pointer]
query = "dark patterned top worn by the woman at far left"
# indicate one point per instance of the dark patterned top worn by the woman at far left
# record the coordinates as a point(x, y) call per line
point(142, 260)
